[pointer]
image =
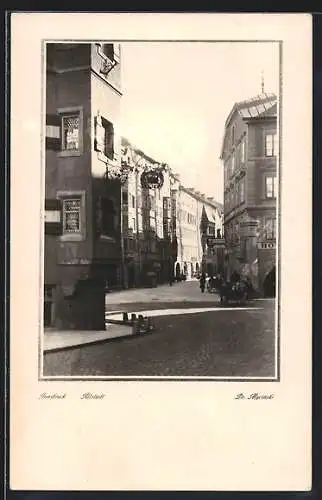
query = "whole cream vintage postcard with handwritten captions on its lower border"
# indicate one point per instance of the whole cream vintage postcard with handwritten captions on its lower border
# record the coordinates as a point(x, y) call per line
point(160, 252)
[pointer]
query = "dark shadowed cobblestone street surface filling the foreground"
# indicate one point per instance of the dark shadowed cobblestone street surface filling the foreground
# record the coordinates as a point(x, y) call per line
point(238, 343)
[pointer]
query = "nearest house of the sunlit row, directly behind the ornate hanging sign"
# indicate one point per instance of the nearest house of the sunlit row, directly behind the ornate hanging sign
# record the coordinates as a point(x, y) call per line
point(146, 230)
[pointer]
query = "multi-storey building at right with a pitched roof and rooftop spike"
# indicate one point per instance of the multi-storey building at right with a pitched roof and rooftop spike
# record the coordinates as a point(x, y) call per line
point(249, 154)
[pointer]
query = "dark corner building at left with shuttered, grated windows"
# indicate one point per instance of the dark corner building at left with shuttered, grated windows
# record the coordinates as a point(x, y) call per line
point(82, 217)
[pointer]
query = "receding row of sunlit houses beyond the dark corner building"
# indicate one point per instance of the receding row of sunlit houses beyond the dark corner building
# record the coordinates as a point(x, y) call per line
point(165, 230)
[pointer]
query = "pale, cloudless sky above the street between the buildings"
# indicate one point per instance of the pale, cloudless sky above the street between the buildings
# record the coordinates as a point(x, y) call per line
point(177, 96)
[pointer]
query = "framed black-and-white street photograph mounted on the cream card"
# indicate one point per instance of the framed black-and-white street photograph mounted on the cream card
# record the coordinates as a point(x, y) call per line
point(161, 175)
